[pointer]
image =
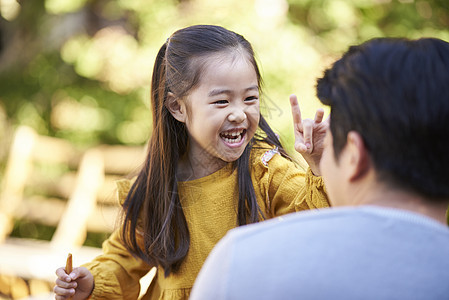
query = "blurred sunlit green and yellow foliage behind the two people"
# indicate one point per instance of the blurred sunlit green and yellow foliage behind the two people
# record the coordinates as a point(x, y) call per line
point(79, 70)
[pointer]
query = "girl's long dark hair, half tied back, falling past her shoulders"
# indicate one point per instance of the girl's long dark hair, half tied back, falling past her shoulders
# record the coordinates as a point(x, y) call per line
point(152, 208)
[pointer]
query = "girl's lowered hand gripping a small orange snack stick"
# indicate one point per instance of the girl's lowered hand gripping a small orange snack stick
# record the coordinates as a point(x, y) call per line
point(78, 284)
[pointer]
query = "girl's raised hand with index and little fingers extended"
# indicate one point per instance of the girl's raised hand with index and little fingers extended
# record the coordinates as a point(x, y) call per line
point(309, 135)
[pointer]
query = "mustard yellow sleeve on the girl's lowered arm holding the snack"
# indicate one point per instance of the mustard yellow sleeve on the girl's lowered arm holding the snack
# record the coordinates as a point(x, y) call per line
point(117, 272)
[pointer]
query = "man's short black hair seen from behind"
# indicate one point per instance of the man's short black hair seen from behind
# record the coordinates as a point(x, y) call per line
point(390, 98)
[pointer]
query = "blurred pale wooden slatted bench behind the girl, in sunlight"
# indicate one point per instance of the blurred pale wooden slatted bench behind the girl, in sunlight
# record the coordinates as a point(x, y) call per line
point(80, 198)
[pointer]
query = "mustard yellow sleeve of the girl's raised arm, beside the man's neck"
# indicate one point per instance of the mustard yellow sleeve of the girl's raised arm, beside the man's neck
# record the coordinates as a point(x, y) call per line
point(285, 188)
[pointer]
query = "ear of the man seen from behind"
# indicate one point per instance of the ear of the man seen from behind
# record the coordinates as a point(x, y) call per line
point(359, 160)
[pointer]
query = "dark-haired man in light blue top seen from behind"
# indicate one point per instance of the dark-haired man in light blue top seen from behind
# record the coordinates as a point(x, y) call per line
point(386, 169)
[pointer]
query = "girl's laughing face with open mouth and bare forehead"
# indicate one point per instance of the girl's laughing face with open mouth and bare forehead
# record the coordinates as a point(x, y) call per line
point(222, 111)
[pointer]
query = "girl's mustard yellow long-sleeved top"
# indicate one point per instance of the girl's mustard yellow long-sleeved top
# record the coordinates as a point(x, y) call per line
point(210, 206)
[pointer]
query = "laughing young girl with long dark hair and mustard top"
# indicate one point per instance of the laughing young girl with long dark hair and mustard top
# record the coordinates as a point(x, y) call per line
point(213, 164)
